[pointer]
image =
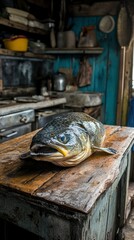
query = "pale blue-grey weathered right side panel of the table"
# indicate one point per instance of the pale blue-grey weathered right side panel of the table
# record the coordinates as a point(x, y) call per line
point(102, 221)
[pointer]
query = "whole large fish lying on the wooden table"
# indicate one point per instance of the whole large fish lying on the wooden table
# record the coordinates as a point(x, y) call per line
point(68, 139)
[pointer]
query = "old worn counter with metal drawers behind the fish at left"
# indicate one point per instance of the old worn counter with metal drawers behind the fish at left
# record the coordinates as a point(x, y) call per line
point(22, 115)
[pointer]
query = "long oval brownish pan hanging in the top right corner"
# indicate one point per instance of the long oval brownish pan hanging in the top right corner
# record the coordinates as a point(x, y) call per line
point(124, 25)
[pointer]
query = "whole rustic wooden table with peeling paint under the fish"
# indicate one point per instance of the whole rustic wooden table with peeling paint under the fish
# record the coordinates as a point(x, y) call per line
point(78, 203)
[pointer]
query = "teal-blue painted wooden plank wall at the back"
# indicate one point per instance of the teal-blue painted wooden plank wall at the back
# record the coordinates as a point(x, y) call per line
point(105, 66)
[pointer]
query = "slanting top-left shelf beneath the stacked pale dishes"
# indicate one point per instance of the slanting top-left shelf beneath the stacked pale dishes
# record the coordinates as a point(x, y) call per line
point(9, 23)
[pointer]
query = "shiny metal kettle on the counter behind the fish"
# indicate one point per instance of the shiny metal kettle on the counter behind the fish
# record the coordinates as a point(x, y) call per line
point(59, 82)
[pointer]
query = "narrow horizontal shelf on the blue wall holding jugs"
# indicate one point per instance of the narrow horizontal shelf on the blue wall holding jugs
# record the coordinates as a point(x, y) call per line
point(91, 50)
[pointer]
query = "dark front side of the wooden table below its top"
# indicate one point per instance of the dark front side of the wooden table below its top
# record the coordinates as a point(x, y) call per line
point(42, 221)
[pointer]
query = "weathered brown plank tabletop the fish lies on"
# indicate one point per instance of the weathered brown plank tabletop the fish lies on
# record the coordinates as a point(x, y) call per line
point(76, 188)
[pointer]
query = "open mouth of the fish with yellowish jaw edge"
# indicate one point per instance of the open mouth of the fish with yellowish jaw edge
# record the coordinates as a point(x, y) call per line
point(48, 150)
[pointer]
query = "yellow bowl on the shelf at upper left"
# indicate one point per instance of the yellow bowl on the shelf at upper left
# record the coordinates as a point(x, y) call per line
point(16, 44)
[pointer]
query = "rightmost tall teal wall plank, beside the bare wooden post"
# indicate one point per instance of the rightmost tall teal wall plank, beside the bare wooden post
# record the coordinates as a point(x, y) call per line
point(112, 76)
